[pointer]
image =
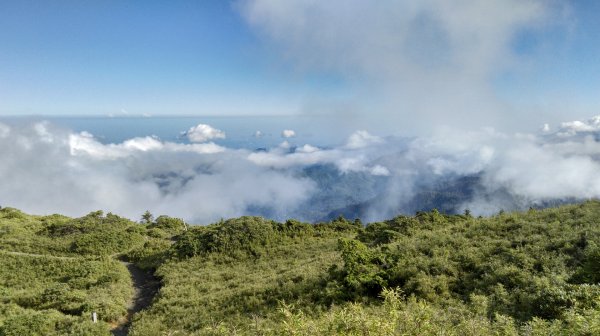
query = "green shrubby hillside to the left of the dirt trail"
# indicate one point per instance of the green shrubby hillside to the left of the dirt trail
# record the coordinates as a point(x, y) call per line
point(55, 271)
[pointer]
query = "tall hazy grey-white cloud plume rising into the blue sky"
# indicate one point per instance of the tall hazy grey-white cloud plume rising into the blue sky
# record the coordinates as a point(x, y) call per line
point(411, 64)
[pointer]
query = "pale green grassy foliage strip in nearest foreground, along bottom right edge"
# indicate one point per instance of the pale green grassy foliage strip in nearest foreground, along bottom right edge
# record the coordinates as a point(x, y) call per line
point(398, 315)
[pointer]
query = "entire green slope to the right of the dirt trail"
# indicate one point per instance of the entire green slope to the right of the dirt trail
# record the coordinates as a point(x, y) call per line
point(511, 274)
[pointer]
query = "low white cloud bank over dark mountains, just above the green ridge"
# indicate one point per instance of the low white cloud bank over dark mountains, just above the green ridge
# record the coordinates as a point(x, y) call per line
point(46, 169)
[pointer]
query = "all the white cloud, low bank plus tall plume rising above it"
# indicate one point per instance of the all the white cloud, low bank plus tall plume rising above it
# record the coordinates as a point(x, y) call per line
point(410, 67)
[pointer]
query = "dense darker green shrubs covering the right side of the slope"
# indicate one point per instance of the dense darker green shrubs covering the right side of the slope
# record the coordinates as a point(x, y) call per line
point(540, 264)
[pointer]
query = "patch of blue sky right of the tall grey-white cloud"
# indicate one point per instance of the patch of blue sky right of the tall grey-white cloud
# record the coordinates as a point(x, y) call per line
point(565, 57)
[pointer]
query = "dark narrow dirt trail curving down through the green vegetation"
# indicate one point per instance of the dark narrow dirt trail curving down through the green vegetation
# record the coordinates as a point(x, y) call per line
point(146, 287)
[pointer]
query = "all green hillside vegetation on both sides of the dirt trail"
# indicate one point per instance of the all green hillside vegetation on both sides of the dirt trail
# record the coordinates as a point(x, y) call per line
point(532, 273)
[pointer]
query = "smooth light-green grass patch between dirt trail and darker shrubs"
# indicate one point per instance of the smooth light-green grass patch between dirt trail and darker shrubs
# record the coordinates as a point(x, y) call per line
point(203, 292)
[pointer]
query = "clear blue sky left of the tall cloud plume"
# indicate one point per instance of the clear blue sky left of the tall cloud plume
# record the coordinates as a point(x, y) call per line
point(155, 57)
